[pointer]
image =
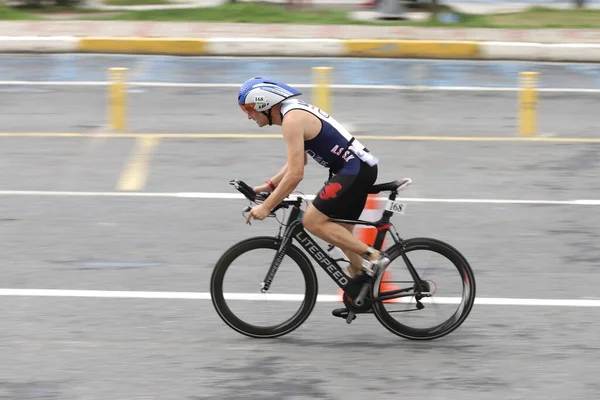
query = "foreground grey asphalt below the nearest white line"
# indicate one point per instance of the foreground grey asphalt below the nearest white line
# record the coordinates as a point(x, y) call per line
point(179, 350)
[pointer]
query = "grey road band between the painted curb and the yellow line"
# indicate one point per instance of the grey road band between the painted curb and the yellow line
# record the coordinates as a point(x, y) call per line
point(457, 98)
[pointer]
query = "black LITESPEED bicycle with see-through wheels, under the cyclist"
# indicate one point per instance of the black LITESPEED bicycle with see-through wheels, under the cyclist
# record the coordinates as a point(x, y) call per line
point(370, 299)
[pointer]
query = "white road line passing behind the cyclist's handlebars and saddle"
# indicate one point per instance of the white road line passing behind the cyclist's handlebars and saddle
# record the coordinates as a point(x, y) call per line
point(235, 196)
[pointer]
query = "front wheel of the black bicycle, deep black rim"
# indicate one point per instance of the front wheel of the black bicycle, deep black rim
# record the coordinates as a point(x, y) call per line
point(236, 284)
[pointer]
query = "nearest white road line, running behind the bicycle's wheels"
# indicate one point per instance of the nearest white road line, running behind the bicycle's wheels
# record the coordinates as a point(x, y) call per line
point(115, 294)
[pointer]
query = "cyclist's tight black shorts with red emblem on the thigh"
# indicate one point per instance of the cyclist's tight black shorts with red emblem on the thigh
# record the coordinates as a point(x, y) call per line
point(345, 196)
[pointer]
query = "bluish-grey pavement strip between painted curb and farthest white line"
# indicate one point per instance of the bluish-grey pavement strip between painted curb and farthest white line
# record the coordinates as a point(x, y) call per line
point(346, 71)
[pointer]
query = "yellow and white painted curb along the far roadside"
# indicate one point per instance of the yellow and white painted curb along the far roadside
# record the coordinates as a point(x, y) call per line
point(368, 48)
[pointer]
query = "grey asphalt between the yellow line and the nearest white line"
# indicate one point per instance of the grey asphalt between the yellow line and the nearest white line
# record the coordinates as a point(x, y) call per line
point(508, 244)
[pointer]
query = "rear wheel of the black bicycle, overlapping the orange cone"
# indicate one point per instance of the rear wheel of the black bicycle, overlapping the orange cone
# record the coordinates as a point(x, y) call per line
point(453, 308)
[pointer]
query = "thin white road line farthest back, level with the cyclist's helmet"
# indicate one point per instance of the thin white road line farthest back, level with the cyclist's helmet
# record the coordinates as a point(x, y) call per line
point(302, 86)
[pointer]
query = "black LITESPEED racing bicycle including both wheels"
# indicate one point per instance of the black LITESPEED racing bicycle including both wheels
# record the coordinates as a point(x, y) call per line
point(266, 260)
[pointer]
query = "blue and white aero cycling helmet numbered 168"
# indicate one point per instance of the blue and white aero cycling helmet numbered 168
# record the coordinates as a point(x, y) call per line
point(261, 94)
